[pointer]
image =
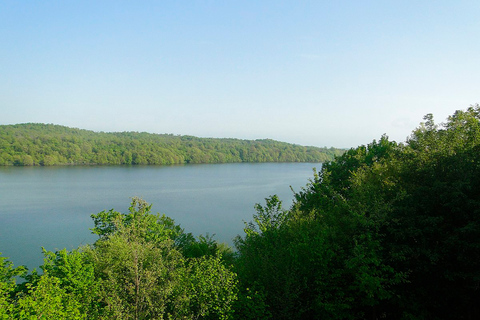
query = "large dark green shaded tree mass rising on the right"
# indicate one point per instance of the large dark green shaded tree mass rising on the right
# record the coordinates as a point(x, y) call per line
point(385, 230)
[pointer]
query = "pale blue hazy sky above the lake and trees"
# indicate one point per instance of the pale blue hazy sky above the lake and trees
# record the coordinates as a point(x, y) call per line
point(322, 73)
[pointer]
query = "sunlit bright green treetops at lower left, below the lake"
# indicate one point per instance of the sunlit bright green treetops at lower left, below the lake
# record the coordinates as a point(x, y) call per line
point(137, 269)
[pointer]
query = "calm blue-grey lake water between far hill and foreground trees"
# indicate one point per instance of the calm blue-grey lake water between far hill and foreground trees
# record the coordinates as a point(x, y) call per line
point(51, 206)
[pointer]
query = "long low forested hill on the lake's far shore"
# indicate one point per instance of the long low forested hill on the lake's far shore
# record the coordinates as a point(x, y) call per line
point(47, 144)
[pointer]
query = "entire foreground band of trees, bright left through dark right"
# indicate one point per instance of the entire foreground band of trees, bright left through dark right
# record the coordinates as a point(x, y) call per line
point(385, 231)
